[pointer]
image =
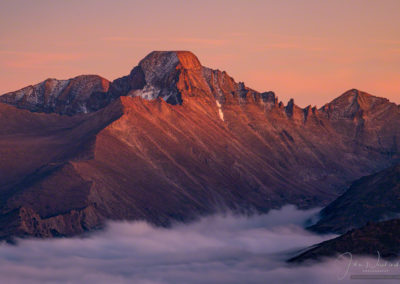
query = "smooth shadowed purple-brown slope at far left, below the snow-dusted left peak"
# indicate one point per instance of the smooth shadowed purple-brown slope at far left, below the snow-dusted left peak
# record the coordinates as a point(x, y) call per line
point(30, 141)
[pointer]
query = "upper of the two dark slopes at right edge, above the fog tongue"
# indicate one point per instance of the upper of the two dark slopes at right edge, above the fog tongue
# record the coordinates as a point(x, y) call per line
point(371, 198)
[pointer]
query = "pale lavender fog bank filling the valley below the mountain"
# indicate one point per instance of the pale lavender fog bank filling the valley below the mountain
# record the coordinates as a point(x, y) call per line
point(218, 249)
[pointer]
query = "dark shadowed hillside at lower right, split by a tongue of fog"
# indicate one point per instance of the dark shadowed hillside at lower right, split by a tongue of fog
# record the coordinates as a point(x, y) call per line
point(360, 214)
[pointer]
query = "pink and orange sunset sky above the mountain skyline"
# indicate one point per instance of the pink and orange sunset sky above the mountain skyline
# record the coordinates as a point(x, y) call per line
point(311, 51)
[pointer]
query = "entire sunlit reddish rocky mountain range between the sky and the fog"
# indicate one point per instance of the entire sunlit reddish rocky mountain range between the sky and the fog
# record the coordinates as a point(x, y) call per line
point(174, 140)
